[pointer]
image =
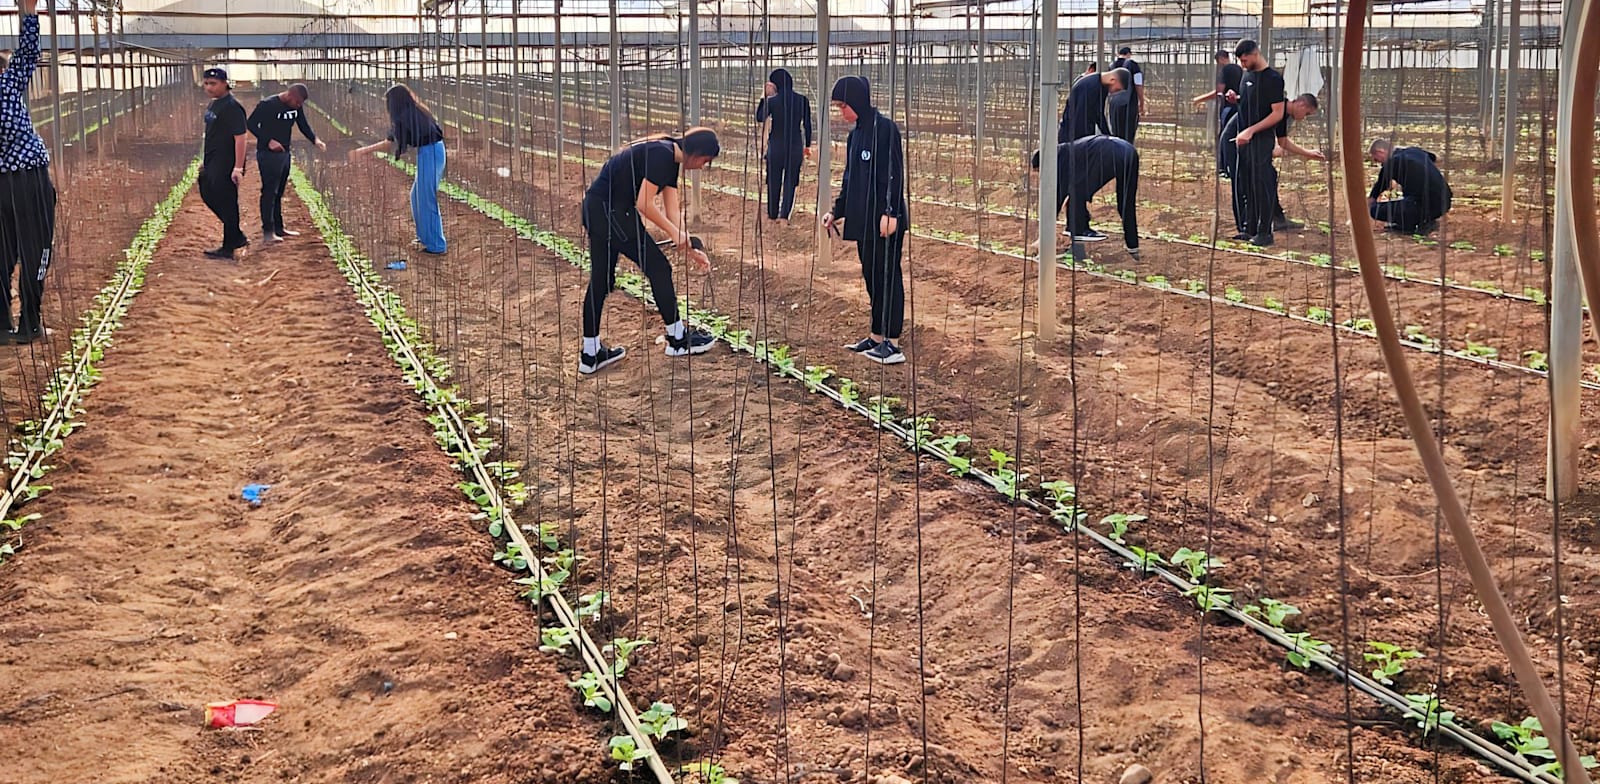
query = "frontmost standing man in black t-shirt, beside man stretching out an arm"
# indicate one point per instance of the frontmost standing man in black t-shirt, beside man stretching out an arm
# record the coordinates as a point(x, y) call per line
point(1260, 113)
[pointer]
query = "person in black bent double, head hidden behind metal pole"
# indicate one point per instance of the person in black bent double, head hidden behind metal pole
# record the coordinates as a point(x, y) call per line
point(1087, 166)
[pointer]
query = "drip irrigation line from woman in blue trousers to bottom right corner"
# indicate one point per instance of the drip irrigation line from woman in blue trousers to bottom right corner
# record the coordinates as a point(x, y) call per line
point(1465, 737)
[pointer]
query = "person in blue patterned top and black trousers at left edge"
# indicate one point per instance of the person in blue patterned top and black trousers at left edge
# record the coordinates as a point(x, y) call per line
point(28, 198)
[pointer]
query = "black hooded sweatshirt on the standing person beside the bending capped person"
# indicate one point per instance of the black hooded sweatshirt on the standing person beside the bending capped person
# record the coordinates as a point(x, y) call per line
point(874, 167)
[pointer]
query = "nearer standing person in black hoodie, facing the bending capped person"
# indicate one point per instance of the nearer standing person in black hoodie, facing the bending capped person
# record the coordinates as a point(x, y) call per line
point(871, 212)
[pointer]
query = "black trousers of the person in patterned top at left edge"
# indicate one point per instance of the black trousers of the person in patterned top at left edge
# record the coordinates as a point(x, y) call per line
point(28, 230)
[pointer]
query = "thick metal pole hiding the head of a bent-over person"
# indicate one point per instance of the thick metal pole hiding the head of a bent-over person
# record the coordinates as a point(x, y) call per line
point(1049, 97)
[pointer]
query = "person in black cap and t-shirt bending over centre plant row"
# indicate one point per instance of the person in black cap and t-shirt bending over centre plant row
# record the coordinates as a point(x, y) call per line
point(615, 210)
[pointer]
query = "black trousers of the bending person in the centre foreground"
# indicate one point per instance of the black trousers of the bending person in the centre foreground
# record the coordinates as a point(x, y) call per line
point(623, 233)
